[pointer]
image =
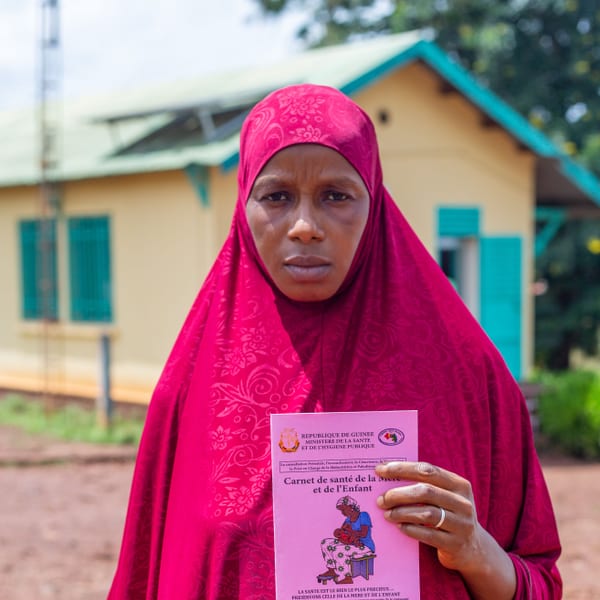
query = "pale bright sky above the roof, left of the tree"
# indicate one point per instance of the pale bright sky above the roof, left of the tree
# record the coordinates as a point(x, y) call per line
point(109, 44)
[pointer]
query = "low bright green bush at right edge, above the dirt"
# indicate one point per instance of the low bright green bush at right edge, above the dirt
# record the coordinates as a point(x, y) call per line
point(569, 412)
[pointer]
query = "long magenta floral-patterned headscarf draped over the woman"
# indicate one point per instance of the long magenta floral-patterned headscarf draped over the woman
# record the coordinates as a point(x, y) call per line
point(395, 336)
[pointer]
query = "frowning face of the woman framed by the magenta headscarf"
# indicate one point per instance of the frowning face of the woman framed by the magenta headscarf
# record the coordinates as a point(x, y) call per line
point(307, 210)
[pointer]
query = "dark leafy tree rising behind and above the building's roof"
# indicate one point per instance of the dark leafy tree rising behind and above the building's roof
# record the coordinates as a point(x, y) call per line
point(541, 56)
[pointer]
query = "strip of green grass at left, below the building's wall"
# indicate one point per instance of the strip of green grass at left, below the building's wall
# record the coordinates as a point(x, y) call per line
point(68, 422)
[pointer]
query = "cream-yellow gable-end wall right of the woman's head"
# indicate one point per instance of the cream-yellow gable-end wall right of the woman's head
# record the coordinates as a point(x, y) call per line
point(436, 150)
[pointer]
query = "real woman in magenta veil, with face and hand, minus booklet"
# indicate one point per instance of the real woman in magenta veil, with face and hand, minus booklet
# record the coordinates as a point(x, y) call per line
point(323, 299)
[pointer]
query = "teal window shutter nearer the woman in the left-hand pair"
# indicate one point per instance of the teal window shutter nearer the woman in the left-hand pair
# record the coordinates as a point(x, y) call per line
point(89, 267)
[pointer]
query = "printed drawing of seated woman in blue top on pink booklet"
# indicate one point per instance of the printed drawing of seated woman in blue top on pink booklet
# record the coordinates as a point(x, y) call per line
point(350, 541)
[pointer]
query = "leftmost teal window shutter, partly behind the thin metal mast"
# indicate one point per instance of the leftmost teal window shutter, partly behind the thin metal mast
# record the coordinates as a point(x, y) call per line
point(38, 269)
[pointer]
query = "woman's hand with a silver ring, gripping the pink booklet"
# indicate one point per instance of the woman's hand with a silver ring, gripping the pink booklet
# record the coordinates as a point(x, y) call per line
point(437, 508)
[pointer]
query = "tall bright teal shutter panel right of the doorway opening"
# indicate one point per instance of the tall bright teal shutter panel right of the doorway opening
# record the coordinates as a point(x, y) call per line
point(501, 297)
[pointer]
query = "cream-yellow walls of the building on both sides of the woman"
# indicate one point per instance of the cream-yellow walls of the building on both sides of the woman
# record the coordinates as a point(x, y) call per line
point(435, 150)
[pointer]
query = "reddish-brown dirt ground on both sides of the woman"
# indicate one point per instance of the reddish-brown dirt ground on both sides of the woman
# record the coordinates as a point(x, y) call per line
point(62, 508)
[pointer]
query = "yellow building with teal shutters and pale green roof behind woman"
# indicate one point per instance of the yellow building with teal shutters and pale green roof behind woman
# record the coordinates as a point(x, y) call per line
point(146, 187)
